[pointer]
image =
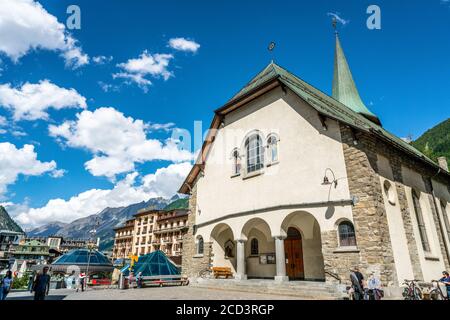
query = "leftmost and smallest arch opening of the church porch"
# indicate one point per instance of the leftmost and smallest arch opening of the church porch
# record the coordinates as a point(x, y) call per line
point(223, 246)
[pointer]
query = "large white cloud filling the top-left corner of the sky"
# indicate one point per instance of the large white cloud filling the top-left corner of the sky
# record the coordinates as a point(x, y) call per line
point(25, 26)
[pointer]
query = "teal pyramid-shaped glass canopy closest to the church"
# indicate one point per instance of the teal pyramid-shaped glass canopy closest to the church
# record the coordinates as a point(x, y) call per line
point(153, 264)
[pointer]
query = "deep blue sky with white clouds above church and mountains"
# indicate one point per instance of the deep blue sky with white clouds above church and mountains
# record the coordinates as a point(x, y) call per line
point(402, 72)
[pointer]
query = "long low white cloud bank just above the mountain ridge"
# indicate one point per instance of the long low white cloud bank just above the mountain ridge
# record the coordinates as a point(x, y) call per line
point(163, 183)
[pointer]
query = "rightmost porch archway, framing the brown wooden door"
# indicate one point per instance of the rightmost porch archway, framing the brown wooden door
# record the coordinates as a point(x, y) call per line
point(303, 247)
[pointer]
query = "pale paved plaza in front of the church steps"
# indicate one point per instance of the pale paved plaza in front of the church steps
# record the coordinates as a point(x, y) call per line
point(156, 293)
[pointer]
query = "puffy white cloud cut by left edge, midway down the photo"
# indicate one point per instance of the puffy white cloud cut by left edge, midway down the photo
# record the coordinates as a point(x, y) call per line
point(15, 162)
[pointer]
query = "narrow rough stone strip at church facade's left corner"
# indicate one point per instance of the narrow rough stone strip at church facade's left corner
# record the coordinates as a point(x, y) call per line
point(192, 263)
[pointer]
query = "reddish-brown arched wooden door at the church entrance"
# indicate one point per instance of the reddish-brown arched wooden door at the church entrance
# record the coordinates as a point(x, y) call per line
point(293, 248)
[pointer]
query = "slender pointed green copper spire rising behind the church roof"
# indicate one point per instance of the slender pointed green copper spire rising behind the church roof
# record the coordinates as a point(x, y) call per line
point(344, 88)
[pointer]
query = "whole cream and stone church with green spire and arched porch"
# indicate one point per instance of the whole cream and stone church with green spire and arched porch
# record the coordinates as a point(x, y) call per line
point(294, 184)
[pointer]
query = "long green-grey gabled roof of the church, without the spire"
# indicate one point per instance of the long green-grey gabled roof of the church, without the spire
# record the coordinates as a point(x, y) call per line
point(272, 76)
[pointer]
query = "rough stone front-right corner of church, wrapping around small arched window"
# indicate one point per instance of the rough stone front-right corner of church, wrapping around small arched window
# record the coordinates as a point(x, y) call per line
point(369, 216)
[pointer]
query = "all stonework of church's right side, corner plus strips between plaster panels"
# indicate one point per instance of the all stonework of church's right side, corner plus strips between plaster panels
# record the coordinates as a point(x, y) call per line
point(371, 226)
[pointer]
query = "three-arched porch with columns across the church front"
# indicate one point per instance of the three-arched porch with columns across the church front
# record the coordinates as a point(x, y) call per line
point(292, 251)
